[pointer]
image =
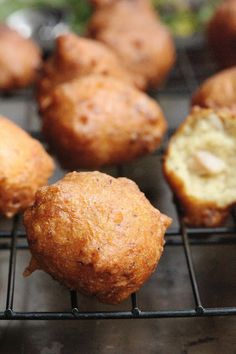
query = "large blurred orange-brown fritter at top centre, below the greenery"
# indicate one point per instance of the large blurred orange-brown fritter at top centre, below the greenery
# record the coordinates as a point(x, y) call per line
point(133, 31)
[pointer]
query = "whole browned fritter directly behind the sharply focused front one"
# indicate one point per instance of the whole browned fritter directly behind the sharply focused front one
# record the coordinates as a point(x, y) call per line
point(96, 121)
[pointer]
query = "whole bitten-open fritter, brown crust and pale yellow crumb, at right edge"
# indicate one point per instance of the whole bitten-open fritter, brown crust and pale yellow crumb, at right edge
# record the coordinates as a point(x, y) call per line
point(200, 166)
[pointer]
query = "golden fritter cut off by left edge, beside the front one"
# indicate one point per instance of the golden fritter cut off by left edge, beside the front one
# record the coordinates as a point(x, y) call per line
point(24, 167)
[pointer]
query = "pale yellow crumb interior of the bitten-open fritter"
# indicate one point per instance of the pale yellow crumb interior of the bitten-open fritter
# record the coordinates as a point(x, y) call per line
point(203, 156)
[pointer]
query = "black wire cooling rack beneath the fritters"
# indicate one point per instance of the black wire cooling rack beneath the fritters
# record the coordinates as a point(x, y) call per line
point(184, 79)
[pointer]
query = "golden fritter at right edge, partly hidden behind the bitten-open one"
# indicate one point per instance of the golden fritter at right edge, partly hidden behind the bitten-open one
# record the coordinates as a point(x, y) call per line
point(218, 91)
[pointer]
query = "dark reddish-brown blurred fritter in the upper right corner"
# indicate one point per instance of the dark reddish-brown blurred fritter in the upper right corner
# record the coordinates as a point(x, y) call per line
point(222, 33)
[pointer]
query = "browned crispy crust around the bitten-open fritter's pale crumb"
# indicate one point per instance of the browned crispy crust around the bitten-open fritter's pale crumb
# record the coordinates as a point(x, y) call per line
point(196, 212)
